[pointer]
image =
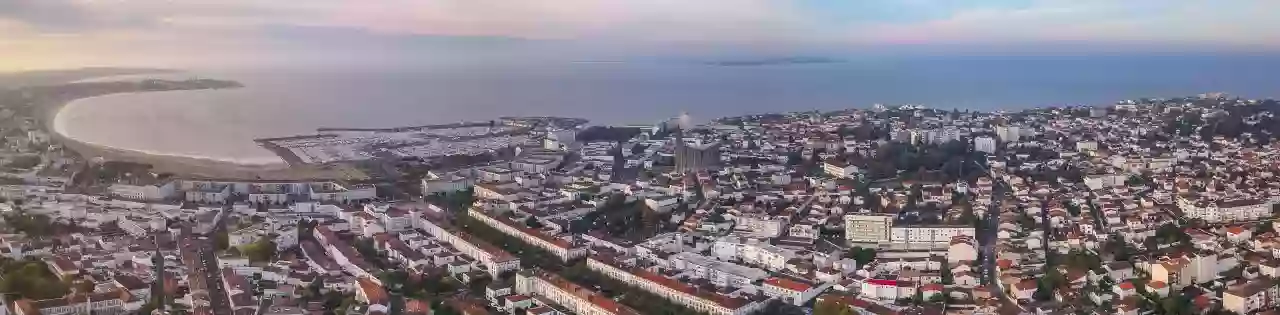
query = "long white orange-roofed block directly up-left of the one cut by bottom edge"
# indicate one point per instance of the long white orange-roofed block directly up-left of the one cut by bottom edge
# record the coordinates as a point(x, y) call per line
point(491, 257)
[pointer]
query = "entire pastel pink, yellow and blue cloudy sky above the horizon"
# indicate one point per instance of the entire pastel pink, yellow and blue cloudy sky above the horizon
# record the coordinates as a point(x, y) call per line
point(65, 34)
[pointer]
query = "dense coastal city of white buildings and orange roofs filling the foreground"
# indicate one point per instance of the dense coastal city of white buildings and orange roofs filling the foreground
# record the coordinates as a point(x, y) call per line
point(1144, 207)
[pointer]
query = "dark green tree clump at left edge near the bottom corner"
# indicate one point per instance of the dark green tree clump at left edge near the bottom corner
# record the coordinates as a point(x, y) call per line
point(30, 280)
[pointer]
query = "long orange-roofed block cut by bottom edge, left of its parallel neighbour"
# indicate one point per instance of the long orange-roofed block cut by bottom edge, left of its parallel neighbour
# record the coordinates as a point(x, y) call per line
point(577, 299)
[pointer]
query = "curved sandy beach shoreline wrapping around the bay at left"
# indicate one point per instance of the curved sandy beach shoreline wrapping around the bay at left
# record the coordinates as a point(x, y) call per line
point(186, 166)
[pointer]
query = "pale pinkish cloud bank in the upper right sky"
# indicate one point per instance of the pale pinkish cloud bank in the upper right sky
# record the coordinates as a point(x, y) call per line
point(1100, 22)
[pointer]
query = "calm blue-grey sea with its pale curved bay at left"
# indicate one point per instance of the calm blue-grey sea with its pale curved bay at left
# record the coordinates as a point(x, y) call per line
point(289, 102)
